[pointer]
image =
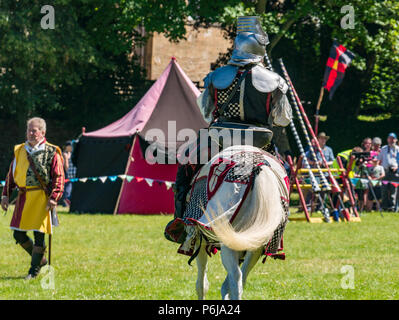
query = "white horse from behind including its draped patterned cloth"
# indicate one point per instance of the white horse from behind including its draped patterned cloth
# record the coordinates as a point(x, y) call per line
point(242, 228)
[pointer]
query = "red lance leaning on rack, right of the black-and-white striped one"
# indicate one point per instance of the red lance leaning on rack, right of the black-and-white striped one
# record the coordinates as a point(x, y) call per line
point(300, 110)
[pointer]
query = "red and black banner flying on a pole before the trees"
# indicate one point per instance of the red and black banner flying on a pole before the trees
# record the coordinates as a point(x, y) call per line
point(338, 61)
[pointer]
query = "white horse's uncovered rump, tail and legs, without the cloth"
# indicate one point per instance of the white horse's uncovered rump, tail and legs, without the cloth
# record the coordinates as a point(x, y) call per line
point(253, 226)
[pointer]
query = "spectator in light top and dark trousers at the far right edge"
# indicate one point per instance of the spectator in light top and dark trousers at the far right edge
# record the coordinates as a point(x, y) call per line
point(389, 160)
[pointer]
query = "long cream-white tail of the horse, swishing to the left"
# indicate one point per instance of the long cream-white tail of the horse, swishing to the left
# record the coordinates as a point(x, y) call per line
point(258, 218)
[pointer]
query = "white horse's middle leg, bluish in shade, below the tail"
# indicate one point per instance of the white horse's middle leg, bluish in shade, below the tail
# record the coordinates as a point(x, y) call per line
point(233, 282)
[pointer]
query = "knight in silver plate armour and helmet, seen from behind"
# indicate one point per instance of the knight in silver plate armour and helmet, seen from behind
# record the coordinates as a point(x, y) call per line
point(243, 95)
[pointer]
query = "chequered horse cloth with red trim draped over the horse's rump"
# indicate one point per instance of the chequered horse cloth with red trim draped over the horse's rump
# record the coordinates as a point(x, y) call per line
point(223, 184)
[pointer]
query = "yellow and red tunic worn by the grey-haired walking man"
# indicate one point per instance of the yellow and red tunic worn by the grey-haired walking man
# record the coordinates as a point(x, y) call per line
point(30, 209)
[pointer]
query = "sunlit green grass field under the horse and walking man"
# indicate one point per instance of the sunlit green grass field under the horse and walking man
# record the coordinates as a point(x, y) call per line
point(127, 257)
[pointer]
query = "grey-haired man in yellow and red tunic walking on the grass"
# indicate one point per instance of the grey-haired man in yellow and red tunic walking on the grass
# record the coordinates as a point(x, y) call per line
point(37, 173)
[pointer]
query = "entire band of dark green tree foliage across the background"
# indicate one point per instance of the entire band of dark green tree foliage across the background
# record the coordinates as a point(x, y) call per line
point(85, 71)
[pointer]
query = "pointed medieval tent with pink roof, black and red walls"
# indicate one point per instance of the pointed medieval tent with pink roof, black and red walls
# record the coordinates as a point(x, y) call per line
point(118, 150)
